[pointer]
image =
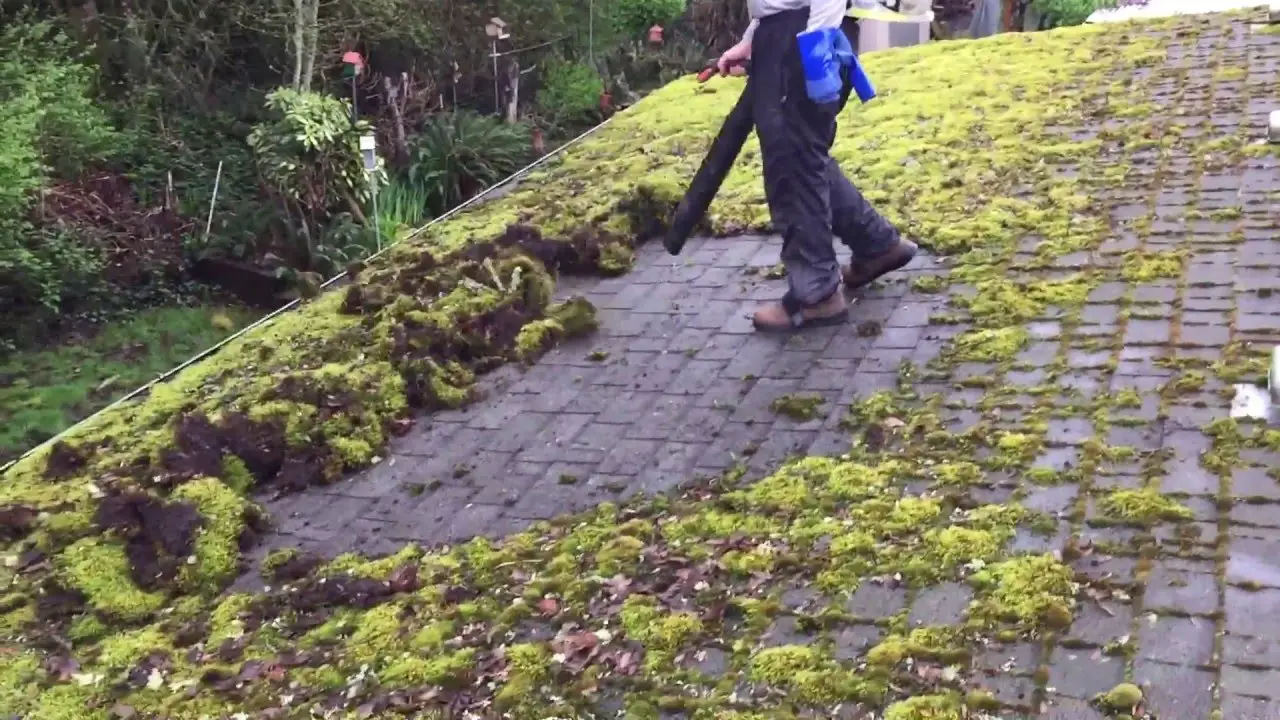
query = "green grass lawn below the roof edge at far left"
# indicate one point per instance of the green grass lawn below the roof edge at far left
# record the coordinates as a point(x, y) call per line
point(48, 390)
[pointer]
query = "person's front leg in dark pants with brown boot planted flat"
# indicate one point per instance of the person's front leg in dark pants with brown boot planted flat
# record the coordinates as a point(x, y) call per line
point(796, 135)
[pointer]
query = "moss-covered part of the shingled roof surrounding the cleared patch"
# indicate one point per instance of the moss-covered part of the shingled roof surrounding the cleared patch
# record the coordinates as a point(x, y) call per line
point(1055, 172)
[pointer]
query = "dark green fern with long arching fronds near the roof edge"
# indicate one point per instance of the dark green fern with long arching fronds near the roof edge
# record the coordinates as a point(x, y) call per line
point(463, 153)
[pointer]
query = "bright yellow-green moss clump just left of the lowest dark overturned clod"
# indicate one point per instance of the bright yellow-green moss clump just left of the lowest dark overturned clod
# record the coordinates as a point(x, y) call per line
point(100, 571)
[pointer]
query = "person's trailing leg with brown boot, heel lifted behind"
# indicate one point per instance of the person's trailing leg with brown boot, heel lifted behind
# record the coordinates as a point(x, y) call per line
point(876, 244)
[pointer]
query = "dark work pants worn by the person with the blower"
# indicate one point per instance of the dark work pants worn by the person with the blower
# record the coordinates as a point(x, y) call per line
point(811, 200)
